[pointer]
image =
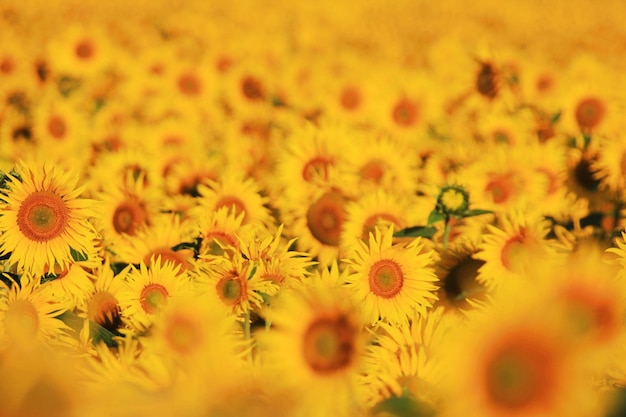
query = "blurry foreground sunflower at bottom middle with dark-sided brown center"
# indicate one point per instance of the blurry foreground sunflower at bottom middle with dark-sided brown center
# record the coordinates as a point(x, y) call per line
point(315, 348)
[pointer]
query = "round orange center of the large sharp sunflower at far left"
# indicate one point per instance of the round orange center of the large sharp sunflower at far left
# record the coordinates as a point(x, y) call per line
point(42, 216)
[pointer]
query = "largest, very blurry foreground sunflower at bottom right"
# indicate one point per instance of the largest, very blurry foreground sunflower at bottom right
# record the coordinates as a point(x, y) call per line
point(510, 360)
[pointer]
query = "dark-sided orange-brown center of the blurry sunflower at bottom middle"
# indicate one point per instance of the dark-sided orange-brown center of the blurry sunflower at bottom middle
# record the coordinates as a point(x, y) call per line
point(329, 344)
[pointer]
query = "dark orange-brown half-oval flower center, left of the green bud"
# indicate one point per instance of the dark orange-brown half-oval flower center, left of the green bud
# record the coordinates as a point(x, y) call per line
point(325, 218)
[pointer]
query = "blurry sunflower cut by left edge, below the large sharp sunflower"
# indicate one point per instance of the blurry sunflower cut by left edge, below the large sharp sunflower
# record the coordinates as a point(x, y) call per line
point(29, 314)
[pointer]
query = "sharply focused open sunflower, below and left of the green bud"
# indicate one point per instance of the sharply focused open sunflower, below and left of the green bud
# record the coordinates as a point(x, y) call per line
point(391, 282)
